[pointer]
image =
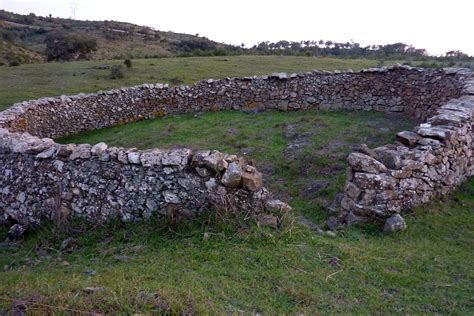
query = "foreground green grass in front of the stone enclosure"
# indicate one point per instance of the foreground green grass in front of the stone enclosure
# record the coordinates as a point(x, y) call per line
point(426, 269)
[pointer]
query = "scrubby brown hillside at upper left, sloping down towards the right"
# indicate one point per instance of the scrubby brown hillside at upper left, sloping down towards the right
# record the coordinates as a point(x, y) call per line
point(22, 38)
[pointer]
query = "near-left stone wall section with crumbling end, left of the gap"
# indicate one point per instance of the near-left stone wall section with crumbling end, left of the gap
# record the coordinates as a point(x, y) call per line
point(43, 180)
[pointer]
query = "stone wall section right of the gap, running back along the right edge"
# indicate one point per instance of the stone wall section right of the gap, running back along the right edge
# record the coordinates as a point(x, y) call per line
point(426, 163)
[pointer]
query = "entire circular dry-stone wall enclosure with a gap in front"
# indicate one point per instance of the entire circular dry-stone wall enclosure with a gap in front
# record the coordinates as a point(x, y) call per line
point(43, 180)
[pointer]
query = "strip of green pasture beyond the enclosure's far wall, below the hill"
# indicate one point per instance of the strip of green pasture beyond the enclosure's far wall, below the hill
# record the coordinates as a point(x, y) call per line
point(37, 80)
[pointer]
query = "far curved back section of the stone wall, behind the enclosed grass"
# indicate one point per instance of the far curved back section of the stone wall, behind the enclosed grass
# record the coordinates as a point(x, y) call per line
point(394, 89)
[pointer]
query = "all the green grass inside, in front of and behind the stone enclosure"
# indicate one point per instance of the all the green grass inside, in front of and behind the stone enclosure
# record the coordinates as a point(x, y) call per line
point(238, 267)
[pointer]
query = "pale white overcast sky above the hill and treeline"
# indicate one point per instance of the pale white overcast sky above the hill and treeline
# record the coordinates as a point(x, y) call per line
point(436, 25)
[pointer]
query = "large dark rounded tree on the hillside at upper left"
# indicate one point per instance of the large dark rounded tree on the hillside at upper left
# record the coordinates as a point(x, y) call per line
point(62, 46)
